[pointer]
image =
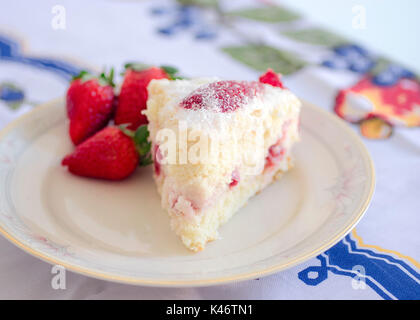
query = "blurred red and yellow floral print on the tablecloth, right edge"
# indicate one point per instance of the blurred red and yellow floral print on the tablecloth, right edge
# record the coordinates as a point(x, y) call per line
point(378, 108)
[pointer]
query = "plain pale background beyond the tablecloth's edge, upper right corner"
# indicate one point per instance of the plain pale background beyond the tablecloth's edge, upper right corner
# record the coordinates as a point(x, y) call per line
point(390, 25)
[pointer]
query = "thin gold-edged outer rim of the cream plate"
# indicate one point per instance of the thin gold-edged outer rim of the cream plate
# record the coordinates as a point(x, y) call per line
point(90, 272)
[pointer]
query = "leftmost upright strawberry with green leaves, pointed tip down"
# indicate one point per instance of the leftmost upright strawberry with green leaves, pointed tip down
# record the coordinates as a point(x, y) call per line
point(89, 105)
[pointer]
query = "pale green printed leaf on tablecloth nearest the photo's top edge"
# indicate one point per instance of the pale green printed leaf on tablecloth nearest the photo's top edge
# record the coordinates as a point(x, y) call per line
point(270, 14)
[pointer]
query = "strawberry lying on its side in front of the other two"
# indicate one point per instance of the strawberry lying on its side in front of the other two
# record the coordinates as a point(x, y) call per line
point(112, 153)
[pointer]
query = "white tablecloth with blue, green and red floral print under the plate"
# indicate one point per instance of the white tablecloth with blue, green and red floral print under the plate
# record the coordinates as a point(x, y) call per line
point(43, 44)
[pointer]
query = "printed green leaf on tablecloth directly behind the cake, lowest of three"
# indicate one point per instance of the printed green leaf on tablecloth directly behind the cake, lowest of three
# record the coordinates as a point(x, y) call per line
point(262, 57)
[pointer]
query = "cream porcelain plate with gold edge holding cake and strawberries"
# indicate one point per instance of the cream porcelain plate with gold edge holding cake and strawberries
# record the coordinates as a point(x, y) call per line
point(117, 230)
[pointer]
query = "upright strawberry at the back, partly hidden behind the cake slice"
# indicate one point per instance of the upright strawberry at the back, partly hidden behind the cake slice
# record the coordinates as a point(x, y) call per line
point(133, 95)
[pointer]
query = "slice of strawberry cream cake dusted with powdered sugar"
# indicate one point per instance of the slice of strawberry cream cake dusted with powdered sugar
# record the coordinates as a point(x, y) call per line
point(215, 144)
